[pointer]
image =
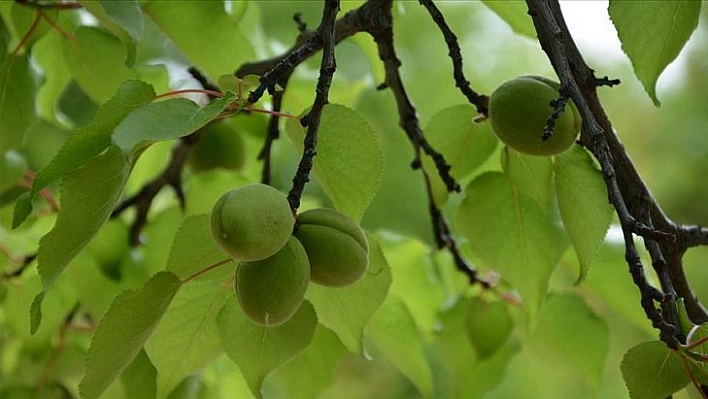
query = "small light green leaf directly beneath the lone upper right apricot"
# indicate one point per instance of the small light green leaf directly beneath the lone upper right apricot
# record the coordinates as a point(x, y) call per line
point(531, 175)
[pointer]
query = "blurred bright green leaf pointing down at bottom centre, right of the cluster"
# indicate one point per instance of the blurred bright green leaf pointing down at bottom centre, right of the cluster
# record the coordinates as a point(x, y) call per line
point(395, 335)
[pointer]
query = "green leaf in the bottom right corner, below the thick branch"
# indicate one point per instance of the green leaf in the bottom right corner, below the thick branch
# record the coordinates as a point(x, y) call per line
point(653, 371)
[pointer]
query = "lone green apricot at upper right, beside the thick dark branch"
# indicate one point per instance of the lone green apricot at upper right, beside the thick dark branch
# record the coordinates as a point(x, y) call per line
point(519, 109)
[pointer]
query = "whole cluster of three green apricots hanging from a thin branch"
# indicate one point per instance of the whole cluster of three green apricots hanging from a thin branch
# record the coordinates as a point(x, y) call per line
point(278, 254)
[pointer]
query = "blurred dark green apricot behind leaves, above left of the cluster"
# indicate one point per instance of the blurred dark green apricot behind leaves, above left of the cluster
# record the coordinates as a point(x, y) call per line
point(219, 147)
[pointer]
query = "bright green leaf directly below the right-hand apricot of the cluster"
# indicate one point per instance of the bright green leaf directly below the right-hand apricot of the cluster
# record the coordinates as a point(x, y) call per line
point(347, 310)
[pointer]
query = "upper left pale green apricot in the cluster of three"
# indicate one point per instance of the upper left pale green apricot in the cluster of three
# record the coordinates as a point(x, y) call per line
point(251, 222)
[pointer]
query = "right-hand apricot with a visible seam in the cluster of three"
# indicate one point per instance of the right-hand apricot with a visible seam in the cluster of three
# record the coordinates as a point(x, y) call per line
point(336, 247)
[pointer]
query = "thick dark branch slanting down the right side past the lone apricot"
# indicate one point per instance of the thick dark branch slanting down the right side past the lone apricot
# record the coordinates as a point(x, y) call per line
point(638, 210)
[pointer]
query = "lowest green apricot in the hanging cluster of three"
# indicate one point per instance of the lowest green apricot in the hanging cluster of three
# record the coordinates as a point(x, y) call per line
point(271, 290)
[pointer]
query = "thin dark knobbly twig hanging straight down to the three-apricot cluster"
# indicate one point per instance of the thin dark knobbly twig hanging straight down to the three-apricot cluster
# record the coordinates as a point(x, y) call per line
point(312, 120)
